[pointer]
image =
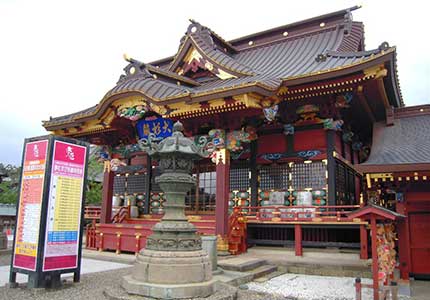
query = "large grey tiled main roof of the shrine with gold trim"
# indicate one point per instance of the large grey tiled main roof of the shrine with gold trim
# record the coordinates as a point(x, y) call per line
point(311, 48)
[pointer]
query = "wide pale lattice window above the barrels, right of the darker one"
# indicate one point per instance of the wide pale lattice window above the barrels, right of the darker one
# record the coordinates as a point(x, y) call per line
point(308, 176)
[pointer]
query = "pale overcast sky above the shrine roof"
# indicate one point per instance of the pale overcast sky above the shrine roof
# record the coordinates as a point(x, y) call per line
point(58, 57)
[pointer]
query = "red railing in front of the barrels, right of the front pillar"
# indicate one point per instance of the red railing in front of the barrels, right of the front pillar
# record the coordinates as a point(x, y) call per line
point(327, 213)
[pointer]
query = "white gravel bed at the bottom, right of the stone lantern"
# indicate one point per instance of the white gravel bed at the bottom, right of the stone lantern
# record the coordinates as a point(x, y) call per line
point(311, 287)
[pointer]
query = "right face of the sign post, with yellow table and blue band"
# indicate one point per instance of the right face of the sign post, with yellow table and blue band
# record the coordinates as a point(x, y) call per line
point(64, 206)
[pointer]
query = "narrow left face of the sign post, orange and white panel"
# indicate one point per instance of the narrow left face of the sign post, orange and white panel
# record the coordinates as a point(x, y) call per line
point(29, 205)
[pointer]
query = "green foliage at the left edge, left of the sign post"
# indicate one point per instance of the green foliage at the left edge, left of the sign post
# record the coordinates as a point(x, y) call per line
point(10, 183)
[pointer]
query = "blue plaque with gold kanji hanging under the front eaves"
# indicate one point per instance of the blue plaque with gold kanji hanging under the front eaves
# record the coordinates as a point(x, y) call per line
point(160, 128)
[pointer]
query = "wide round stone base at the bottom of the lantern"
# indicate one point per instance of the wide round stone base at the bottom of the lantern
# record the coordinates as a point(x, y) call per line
point(171, 275)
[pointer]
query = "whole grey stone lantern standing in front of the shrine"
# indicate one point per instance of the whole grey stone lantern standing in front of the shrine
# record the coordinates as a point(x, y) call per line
point(173, 264)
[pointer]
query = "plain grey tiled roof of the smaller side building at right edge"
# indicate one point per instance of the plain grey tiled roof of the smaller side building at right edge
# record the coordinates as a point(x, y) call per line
point(406, 142)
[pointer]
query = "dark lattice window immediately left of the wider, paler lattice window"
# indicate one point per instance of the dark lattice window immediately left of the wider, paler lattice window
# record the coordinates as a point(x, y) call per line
point(273, 177)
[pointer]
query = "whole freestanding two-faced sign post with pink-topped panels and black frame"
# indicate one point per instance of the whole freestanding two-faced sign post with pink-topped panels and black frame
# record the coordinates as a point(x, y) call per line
point(48, 236)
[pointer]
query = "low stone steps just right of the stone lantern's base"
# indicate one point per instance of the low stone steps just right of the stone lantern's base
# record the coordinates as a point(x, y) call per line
point(240, 270)
